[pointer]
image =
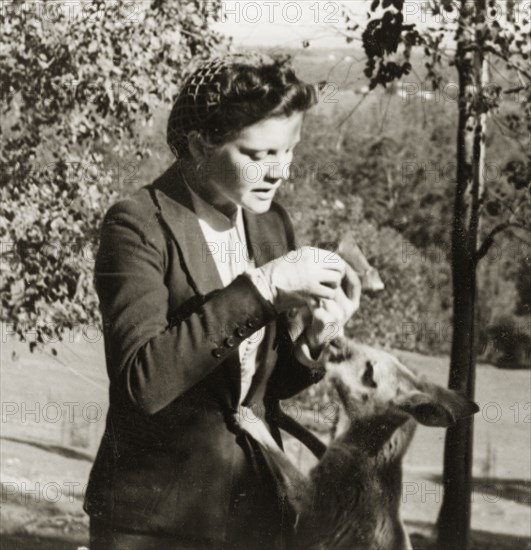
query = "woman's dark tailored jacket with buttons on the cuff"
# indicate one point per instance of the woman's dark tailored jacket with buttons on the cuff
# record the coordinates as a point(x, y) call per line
point(172, 459)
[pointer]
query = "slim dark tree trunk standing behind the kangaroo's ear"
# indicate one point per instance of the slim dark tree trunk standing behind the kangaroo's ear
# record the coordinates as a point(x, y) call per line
point(455, 514)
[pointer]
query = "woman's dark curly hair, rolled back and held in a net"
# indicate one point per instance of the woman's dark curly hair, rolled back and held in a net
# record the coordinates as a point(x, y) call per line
point(224, 95)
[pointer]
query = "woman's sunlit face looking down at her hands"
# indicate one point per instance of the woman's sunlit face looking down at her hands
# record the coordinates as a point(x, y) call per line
point(248, 170)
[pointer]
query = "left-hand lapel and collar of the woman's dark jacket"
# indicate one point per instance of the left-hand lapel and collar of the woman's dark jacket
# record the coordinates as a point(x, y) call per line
point(177, 212)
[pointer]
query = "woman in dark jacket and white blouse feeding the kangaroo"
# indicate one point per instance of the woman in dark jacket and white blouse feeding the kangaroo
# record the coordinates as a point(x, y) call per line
point(195, 289)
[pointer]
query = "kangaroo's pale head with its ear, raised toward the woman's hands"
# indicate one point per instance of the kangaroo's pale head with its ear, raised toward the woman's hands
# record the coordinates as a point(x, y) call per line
point(373, 383)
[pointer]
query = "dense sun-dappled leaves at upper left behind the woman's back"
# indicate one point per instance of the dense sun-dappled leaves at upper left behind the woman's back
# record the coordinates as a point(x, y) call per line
point(75, 85)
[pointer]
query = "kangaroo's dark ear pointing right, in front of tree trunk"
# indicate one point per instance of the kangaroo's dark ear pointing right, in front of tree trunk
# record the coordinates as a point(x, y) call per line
point(437, 407)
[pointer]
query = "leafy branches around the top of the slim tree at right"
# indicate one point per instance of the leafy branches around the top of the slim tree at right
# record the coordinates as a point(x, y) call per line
point(388, 44)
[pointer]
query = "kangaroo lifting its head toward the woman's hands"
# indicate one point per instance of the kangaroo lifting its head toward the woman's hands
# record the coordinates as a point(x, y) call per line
point(351, 498)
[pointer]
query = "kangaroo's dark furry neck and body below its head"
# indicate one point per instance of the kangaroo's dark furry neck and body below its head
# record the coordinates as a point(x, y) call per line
point(353, 495)
